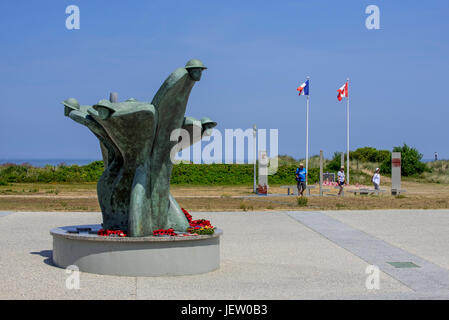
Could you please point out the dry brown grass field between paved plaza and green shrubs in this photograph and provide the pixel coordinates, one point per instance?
(82, 197)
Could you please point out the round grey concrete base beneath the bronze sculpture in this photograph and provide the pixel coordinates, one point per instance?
(143, 256)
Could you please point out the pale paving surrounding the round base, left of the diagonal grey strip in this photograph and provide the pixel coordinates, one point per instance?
(264, 256)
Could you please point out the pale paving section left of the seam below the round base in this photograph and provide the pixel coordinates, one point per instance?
(26, 270)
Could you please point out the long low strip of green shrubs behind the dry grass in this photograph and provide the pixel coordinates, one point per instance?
(207, 174)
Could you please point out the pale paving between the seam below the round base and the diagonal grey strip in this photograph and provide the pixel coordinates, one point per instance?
(269, 256)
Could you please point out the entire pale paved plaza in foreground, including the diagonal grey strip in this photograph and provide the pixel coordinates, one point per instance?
(265, 255)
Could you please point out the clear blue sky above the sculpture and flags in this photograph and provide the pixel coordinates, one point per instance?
(257, 52)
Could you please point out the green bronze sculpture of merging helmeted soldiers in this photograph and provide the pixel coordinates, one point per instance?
(134, 190)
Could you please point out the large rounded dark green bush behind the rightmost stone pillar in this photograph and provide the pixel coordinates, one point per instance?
(410, 162)
